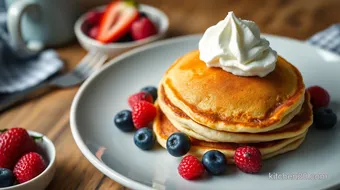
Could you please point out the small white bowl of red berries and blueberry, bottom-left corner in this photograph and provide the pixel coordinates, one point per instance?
(27, 160)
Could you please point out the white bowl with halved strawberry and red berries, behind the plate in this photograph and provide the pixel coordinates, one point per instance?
(120, 26)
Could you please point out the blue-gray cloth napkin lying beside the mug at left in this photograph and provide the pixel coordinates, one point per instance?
(18, 73)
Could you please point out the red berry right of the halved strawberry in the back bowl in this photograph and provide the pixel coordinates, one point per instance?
(143, 28)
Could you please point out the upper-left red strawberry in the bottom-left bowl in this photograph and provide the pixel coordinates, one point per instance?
(13, 144)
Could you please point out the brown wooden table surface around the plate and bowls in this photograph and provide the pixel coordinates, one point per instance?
(50, 114)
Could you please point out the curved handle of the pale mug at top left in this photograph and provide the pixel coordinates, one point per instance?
(14, 18)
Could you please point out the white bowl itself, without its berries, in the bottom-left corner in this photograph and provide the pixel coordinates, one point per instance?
(41, 181)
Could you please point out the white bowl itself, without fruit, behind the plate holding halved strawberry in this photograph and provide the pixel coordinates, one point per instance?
(112, 49)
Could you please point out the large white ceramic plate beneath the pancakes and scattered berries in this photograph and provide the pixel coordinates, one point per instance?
(114, 153)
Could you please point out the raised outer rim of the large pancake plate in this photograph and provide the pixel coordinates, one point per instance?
(106, 170)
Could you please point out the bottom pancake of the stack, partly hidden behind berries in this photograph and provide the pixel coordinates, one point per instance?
(163, 128)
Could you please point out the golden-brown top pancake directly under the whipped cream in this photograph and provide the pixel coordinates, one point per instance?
(223, 101)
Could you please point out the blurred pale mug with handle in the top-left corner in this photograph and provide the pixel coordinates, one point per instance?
(35, 24)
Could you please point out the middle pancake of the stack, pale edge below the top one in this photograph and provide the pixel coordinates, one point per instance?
(297, 126)
